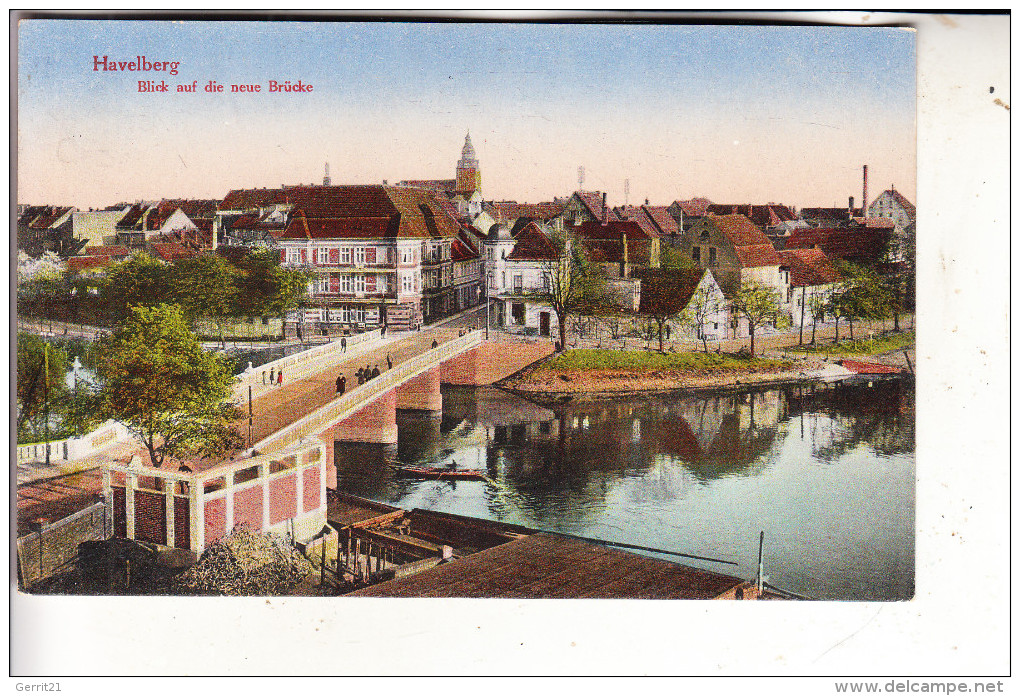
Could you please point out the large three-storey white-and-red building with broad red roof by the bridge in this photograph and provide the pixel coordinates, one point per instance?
(382, 256)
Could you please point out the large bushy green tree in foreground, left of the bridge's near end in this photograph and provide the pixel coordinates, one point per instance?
(168, 391)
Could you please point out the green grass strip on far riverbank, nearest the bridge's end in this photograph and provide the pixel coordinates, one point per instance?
(649, 362)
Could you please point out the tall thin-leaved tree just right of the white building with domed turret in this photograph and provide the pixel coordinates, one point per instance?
(575, 283)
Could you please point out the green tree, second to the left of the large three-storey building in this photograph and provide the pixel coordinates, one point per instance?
(206, 286)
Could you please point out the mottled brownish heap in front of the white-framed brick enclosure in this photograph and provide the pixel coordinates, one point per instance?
(245, 564)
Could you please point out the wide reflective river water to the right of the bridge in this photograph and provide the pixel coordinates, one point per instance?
(827, 473)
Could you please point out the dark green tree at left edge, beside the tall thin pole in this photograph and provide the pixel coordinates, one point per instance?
(41, 384)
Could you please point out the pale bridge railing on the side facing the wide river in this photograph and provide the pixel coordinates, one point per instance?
(347, 406)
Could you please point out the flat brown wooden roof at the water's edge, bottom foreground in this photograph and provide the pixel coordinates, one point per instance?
(544, 566)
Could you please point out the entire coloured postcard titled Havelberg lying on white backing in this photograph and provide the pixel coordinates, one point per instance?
(335, 309)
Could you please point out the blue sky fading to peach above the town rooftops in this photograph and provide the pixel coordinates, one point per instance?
(735, 114)
